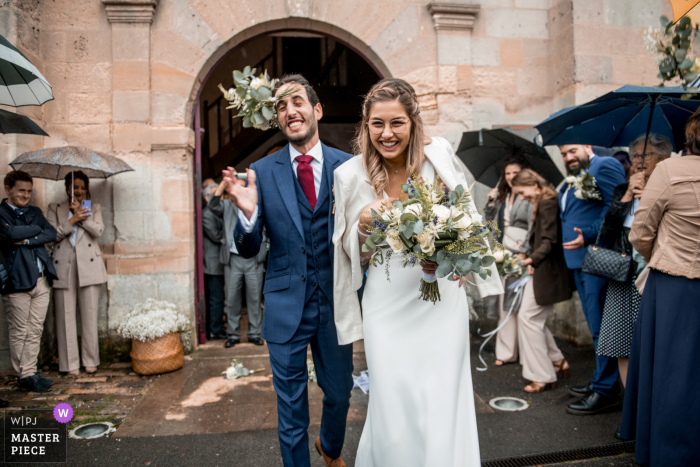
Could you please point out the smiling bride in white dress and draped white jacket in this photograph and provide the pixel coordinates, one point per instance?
(421, 406)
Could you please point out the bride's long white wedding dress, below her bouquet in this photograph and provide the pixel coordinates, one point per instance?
(421, 403)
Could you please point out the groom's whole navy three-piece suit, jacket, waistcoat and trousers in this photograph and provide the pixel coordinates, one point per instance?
(299, 301)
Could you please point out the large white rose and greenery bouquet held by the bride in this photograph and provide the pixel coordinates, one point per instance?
(433, 224)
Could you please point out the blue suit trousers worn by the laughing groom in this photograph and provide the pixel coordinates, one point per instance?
(333, 364)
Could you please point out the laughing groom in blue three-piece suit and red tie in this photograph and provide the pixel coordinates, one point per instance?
(290, 194)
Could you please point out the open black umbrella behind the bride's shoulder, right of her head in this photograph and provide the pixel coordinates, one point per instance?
(484, 151)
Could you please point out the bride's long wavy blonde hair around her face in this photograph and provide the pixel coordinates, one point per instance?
(386, 90)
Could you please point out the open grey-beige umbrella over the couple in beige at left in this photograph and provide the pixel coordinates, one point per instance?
(56, 163)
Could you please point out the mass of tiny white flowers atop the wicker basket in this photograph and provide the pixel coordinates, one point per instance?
(152, 319)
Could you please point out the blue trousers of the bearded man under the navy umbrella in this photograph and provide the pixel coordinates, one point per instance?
(591, 290)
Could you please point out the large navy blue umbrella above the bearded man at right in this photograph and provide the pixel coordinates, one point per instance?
(619, 117)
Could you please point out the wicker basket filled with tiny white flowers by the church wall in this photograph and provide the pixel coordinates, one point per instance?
(153, 327)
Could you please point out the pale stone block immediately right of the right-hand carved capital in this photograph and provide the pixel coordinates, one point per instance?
(511, 24)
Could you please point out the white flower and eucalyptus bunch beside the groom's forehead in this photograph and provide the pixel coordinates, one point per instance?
(253, 97)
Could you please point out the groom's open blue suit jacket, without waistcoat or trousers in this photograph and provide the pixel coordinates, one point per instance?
(278, 212)
